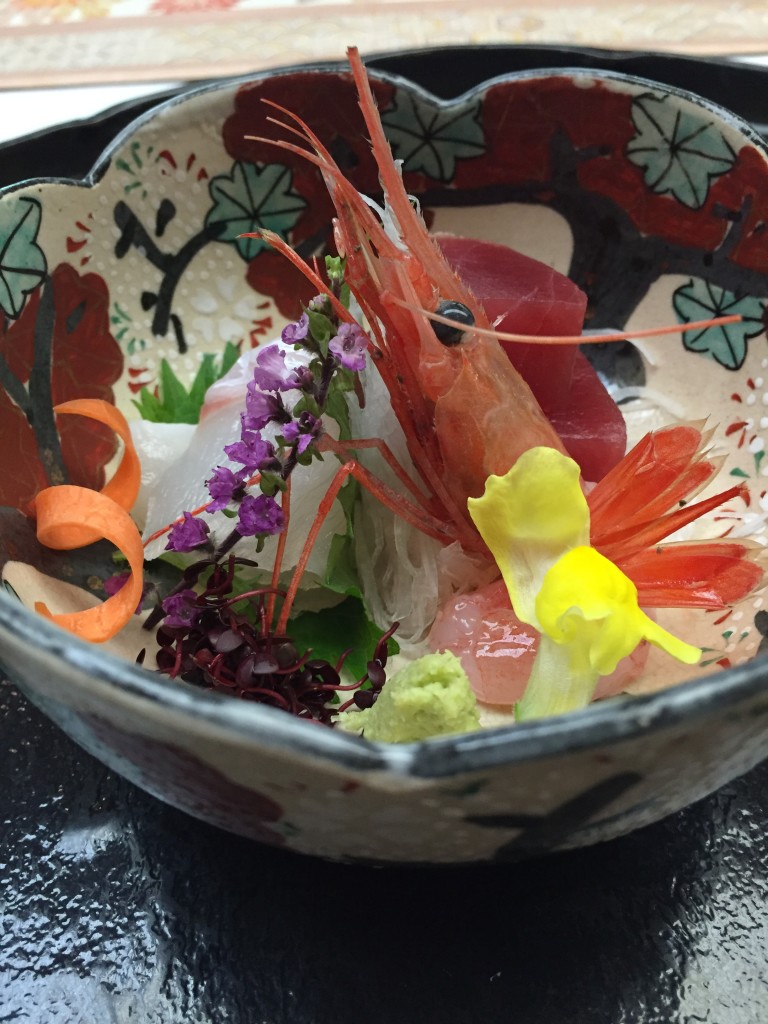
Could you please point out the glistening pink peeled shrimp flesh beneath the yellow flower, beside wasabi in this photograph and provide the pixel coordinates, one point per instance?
(498, 651)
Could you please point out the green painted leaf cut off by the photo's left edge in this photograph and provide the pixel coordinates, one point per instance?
(22, 260)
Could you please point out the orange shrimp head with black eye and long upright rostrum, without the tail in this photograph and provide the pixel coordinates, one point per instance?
(465, 411)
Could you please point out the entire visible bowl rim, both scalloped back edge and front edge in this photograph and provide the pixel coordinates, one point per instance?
(604, 723)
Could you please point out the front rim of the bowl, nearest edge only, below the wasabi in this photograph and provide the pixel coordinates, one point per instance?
(602, 724)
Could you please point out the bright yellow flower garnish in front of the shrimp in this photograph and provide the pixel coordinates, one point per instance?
(536, 522)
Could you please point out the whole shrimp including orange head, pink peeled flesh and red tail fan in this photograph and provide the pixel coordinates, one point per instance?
(467, 414)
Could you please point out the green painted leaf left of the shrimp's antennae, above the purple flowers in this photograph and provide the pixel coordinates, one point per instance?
(250, 198)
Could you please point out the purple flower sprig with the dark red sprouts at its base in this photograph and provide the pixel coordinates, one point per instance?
(201, 637)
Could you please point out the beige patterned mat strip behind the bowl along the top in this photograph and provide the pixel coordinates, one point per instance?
(59, 42)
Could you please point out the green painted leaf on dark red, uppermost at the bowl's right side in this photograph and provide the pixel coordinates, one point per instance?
(679, 152)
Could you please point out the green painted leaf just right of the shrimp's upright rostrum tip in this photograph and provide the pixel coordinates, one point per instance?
(431, 139)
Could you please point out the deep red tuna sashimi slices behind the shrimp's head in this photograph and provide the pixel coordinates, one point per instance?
(524, 296)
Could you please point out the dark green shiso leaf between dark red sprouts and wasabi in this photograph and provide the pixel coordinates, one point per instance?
(331, 632)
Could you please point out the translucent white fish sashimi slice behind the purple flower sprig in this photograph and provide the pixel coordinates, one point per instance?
(182, 486)
